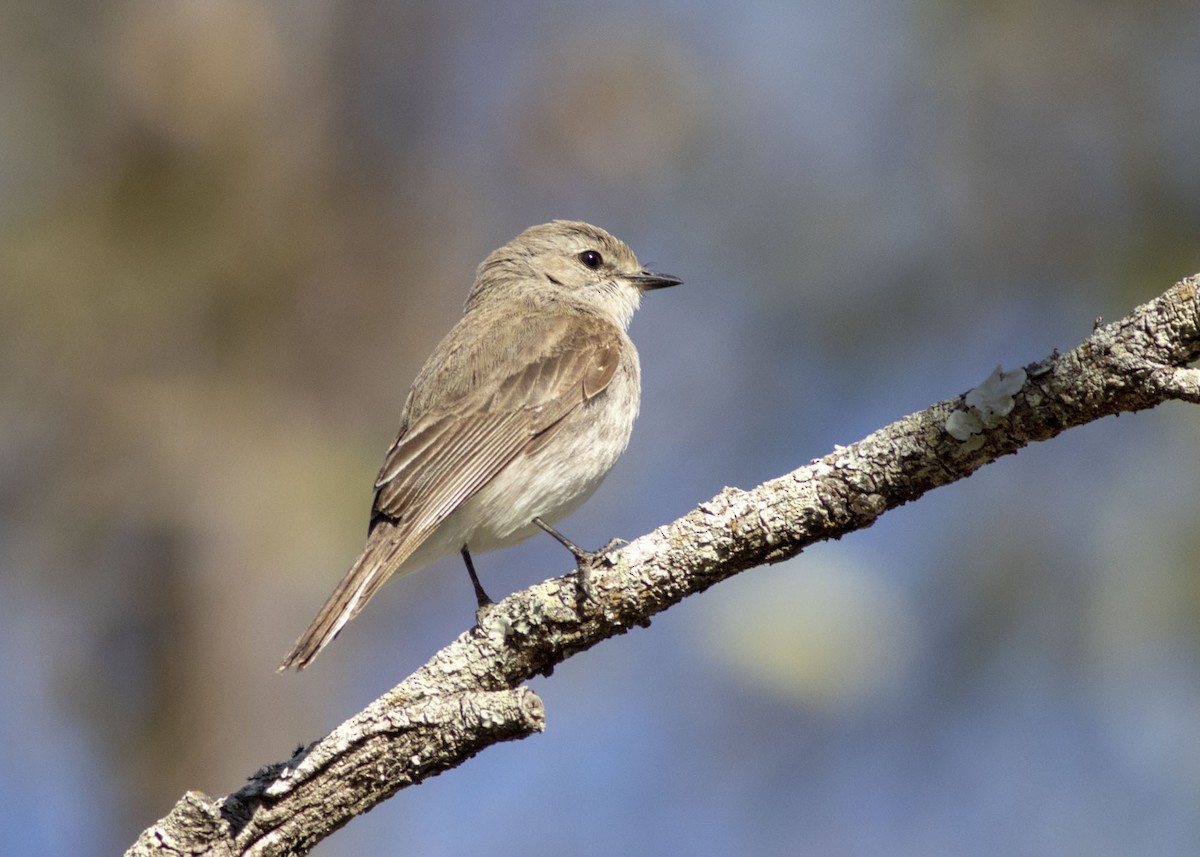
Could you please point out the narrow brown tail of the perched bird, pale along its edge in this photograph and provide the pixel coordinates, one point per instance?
(382, 556)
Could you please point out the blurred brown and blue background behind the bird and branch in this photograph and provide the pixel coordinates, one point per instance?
(231, 233)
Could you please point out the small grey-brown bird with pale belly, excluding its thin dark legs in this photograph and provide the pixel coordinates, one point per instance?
(519, 413)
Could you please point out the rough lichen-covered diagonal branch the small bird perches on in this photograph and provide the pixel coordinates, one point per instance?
(469, 697)
